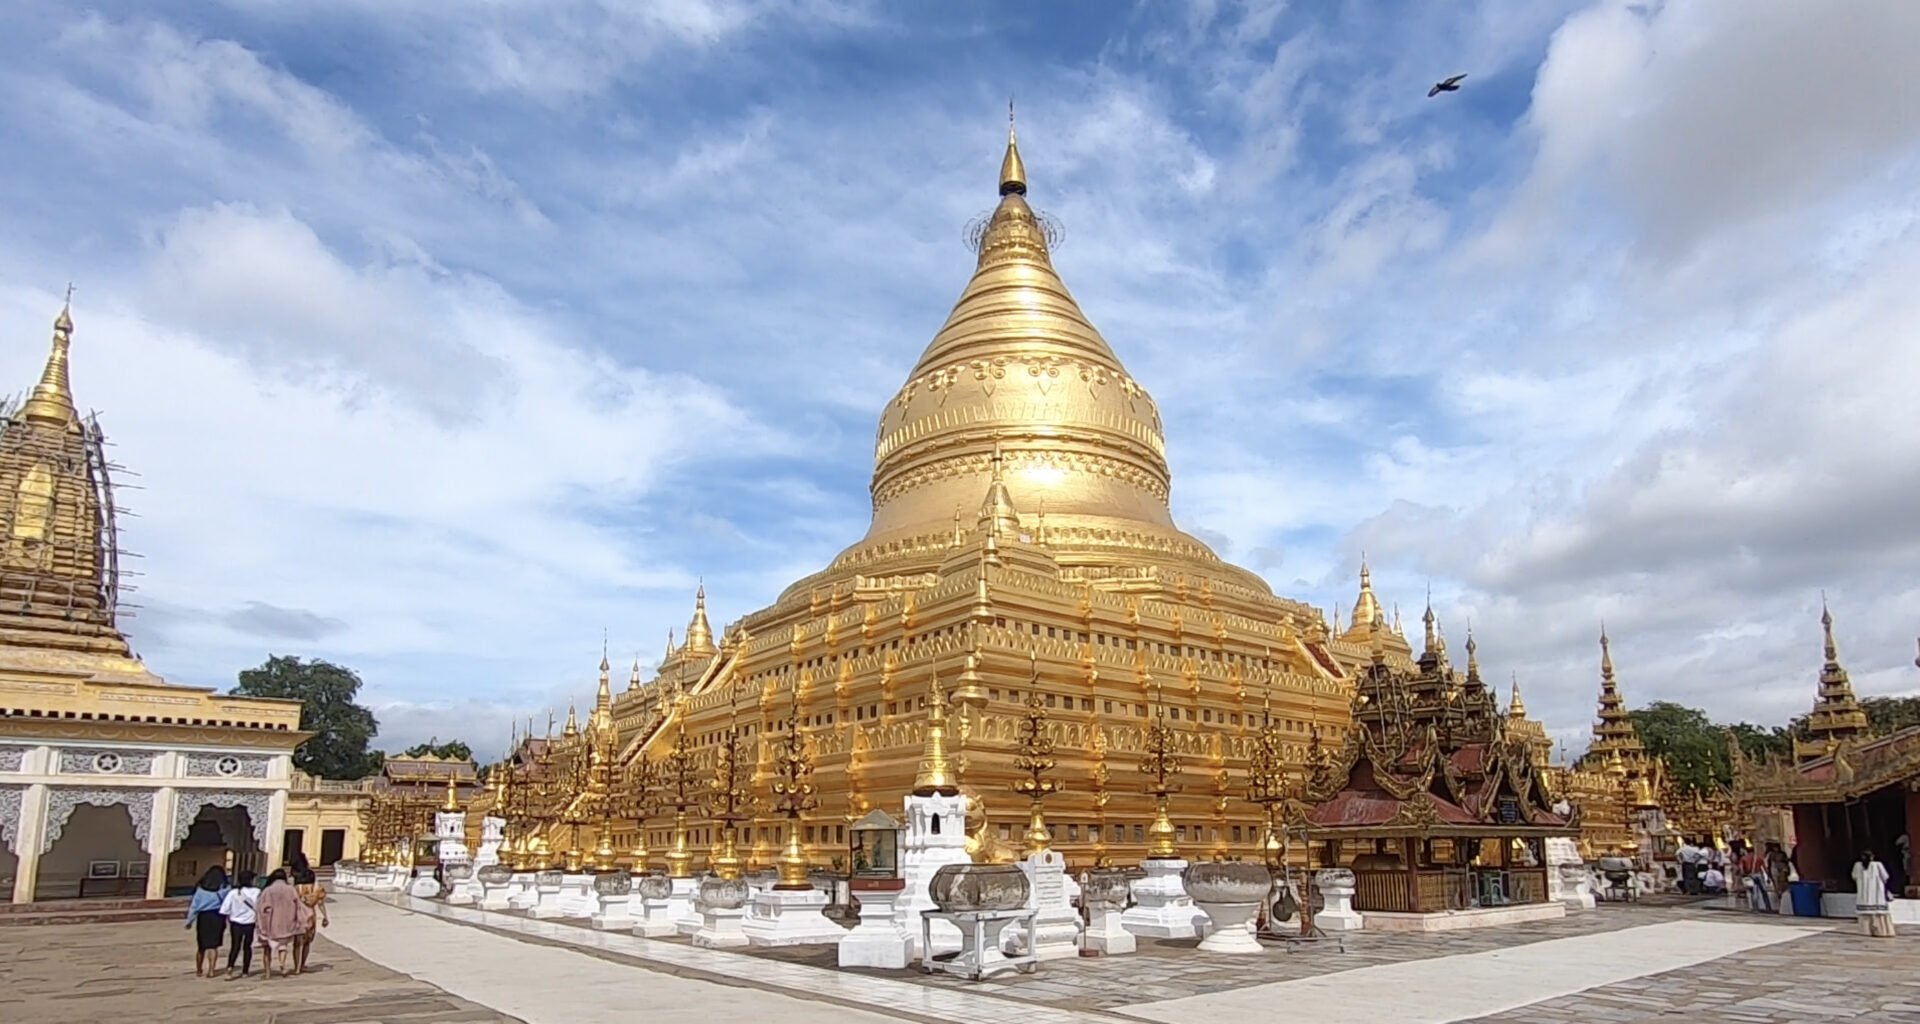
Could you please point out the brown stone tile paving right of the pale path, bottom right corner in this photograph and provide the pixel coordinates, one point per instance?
(1836, 975)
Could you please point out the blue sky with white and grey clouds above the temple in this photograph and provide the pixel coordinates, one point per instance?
(446, 337)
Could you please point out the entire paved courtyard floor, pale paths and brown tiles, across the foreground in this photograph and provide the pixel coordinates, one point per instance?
(425, 963)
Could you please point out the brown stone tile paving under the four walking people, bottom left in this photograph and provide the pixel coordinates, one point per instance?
(145, 971)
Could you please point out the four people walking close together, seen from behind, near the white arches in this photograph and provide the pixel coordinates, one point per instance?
(283, 914)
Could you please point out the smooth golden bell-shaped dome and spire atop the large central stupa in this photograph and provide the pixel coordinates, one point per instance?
(1020, 378)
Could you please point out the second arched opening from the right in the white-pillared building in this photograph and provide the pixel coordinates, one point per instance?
(95, 844)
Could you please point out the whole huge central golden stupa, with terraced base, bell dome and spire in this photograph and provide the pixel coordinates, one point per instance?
(1020, 543)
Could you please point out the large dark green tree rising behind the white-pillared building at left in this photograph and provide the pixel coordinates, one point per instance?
(325, 693)
